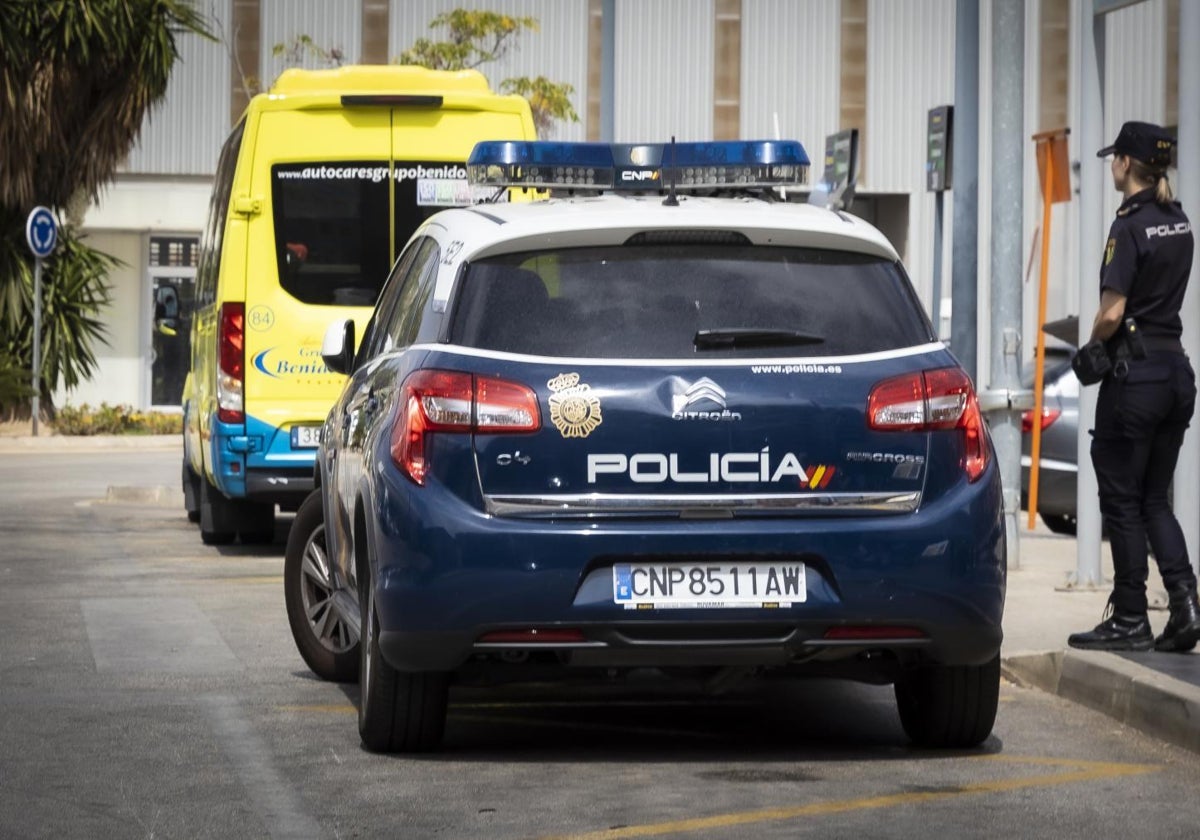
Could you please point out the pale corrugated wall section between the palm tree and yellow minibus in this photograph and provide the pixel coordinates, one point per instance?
(184, 133)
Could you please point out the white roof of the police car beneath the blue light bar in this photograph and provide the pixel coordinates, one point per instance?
(489, 230)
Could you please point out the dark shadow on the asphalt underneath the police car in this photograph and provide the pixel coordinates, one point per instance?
(761, 723)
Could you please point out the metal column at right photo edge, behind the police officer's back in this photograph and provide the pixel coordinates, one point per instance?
(1187, 473)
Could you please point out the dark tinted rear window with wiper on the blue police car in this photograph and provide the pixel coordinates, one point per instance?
(668, 302)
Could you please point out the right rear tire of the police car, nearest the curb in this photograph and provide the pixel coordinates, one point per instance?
(950, 706)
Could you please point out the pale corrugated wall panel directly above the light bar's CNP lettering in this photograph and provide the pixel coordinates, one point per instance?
(664, 69)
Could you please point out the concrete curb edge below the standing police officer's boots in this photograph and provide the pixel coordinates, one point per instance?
(1142, 698)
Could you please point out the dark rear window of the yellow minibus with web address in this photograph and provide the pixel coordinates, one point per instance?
(335, 238)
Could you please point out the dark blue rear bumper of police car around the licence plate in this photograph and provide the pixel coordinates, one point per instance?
(447, 575)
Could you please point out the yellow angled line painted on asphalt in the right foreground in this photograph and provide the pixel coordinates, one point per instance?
(1085, 771)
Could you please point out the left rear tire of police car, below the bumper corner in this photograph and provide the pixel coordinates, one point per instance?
(399, 711)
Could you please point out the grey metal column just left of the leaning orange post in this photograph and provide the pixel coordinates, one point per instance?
(1004, 397)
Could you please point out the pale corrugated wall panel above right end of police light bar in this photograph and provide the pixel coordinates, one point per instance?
(791, 68)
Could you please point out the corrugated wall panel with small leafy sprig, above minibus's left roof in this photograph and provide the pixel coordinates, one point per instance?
(331, 26)
